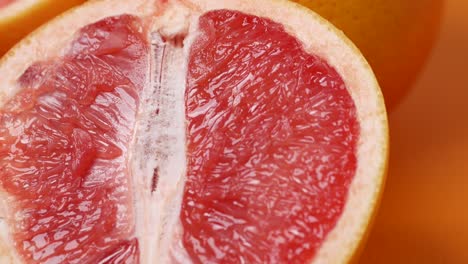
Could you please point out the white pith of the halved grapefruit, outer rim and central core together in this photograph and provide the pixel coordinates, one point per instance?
(166, 143)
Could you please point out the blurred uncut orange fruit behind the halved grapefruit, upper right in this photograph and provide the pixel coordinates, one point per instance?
(394, 36)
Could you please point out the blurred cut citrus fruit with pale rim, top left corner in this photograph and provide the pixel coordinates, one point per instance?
(19, 17)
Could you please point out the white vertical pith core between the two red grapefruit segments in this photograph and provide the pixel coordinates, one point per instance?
(158, 158)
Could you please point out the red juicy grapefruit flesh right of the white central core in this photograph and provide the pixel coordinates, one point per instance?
(272, 138)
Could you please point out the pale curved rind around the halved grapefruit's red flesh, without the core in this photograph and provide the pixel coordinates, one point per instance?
(331, 45)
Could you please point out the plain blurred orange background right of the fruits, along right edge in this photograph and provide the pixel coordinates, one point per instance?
(424, 212)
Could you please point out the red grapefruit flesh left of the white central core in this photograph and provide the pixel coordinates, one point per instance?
(63, 146)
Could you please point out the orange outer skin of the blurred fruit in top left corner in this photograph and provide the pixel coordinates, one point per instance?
(14, 28)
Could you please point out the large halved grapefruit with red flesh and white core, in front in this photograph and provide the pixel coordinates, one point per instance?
(188, 132)
